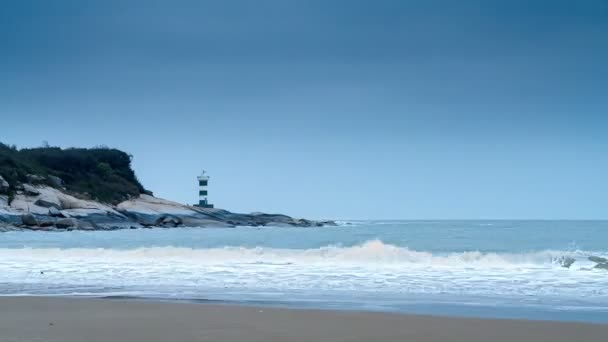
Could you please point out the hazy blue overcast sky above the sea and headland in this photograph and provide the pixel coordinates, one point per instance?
(326, 109)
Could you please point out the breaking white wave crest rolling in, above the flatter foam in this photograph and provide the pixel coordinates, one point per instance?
(371, 253)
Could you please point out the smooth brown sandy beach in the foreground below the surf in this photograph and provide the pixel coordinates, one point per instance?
(77, 320)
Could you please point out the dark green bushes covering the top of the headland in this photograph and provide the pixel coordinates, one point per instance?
(99, 173)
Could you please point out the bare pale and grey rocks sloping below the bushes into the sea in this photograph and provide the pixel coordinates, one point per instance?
(45, 207)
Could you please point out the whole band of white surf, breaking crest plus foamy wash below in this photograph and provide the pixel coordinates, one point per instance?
(372, 267)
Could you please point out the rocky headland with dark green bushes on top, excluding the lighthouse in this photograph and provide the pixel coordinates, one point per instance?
(96, 189)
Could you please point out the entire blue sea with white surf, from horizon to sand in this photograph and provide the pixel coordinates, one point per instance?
(511, 269)
